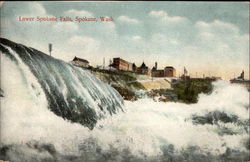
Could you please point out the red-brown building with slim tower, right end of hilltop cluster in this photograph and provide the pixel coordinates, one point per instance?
(168, 71)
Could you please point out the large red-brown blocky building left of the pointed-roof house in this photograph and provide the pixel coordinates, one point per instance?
(121, 64)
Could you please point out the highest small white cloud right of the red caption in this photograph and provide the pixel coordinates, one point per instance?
(164, 17)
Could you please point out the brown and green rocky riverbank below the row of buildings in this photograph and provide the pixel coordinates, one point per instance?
(133, 86)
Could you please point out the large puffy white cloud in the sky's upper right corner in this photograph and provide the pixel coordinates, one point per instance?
(219, 35)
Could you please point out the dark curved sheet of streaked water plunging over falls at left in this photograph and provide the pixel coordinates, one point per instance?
(71, 92)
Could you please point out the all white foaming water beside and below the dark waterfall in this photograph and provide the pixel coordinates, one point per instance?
(145, 131)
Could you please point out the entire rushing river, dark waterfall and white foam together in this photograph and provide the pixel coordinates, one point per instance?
(48, 106)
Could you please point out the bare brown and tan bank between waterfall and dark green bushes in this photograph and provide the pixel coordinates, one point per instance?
(129, 83)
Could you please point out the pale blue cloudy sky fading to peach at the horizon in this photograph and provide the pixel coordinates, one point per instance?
(210, 38)
